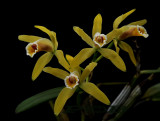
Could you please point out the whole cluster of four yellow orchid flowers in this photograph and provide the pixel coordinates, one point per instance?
(75, 76)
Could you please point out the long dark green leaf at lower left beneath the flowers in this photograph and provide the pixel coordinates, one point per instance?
(38, 99)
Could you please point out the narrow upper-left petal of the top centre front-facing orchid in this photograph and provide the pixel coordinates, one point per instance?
(84, 36)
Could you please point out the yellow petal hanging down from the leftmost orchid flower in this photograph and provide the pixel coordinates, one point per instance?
(40, 64)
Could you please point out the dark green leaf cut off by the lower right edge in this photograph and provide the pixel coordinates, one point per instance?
(153, 93)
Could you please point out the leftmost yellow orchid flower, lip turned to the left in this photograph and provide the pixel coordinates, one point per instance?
(37, 44)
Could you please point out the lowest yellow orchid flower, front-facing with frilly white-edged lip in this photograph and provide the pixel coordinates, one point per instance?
(73, 78)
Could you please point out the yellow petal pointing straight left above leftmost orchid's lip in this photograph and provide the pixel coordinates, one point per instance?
(28, 38)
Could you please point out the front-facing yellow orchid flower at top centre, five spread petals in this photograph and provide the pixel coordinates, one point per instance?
(99, 40)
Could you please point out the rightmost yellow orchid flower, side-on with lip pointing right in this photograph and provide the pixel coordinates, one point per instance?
(130, 30)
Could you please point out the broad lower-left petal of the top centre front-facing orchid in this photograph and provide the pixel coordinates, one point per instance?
(82, 56)
